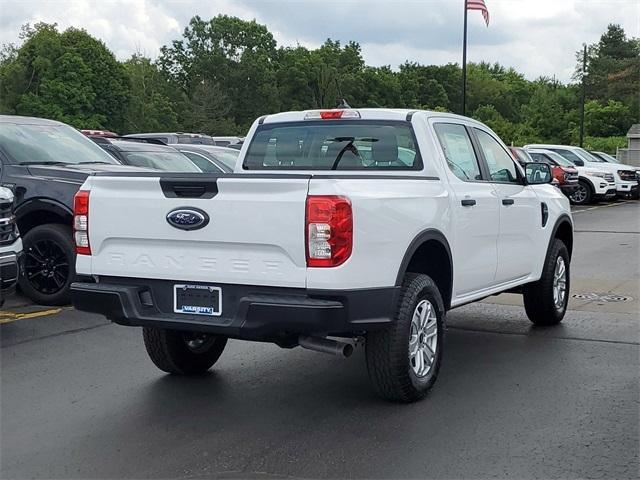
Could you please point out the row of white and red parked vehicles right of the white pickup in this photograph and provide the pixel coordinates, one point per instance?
(583, 176)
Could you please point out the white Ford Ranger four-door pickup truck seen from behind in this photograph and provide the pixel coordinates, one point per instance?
(335, 225)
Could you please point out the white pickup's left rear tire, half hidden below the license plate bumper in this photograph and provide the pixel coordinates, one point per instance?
(170, 352)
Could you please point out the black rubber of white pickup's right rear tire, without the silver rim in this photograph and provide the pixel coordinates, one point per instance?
(390, 368)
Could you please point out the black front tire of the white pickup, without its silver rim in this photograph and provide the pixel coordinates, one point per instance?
(539, 302)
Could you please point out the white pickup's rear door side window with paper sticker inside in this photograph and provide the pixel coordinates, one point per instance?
(458, 150)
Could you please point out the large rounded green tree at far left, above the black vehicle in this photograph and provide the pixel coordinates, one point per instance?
(68, 76)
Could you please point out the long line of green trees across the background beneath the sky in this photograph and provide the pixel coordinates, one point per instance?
(223, 73)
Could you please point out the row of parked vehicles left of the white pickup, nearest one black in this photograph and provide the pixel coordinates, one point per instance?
(42, 165)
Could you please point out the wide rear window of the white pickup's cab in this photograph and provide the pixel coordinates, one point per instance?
(334, 145)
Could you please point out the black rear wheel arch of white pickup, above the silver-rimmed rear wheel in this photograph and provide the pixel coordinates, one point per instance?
(429, 253)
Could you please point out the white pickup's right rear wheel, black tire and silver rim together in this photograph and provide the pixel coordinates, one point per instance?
(403, 360)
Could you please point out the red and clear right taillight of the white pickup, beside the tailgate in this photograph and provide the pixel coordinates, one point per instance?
(329, 230)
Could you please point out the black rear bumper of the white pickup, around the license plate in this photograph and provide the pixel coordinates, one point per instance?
(250, 312)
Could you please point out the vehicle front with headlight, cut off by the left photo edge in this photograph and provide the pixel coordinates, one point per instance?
(10, 245)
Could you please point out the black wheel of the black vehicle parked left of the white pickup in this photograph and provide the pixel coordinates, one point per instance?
(49, 264)
